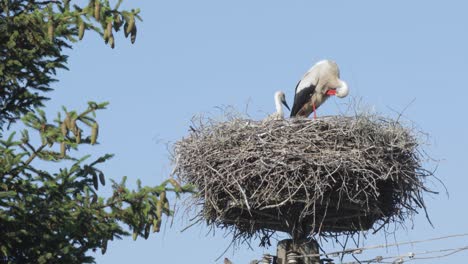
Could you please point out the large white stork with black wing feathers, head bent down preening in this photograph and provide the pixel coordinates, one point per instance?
(319, 83)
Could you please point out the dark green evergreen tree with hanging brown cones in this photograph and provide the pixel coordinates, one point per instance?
(58, 217)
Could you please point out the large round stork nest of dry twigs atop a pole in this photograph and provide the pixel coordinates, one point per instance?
(334, 175)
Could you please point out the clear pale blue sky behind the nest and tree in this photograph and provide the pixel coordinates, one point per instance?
(191, 56)
